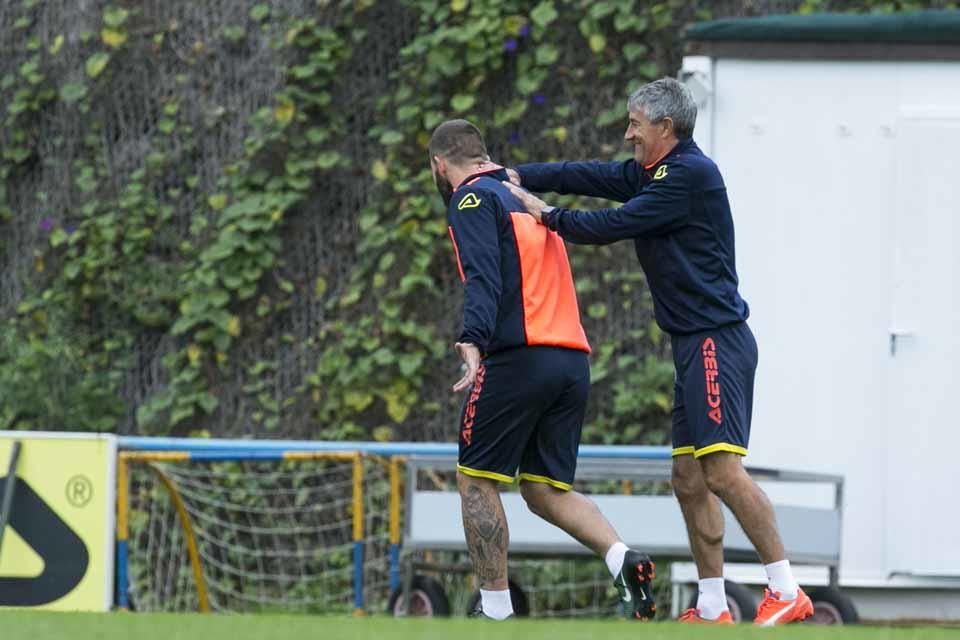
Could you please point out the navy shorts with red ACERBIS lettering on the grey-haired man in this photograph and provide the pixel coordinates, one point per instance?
(713, 396)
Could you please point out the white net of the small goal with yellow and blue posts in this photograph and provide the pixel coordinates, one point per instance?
(256, 535)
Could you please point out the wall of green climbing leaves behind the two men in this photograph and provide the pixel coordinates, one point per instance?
(297, 282)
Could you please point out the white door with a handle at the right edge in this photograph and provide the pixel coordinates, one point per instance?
(923, 436)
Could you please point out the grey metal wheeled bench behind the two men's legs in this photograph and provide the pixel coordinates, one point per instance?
(653, 523)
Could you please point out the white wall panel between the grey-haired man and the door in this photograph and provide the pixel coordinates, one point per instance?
(810, 180)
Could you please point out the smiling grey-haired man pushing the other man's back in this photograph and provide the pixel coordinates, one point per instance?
(676, 211)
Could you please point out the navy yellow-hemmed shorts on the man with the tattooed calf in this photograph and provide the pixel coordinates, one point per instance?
(525, 411)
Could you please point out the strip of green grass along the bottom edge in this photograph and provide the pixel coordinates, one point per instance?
(15, 625)
